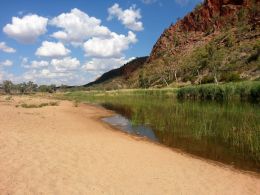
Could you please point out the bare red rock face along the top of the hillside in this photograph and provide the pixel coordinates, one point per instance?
(206, 18)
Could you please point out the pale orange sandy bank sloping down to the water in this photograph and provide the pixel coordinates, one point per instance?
(66, 150)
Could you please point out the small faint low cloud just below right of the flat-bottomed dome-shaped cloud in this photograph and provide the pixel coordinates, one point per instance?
(65, 64)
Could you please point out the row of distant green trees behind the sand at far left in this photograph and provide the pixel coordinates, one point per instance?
(9, 87)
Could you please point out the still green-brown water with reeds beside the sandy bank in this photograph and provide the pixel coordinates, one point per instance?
(229, 133)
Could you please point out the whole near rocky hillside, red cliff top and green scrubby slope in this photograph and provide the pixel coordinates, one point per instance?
(219, 41)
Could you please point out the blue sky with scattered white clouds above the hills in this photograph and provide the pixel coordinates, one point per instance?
(73, 42)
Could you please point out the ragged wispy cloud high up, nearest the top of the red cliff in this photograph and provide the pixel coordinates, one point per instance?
(129, 17)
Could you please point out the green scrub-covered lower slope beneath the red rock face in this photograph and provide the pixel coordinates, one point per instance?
(223, 59)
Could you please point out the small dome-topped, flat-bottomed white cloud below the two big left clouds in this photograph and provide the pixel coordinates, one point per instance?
(51, 49)
